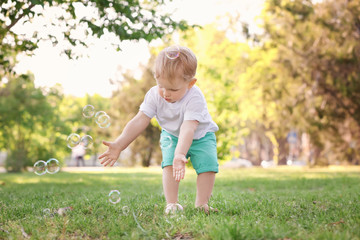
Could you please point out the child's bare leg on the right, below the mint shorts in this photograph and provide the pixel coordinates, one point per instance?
(205, 183)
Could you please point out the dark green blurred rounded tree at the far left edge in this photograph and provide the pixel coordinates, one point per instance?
(29, 121)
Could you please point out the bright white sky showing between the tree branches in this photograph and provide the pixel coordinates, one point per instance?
(101, 62)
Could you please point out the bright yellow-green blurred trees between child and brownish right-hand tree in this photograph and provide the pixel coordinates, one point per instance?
(233, 75)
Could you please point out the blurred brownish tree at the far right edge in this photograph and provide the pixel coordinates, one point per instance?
(318, 52)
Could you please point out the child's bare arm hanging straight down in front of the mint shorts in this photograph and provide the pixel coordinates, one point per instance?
(187, 131)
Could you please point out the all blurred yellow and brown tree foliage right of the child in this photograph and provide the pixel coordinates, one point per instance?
(301, 73)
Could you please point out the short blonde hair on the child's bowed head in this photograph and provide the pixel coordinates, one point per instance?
(183, 64)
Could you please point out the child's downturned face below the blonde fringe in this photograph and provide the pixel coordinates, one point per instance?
(175, 90)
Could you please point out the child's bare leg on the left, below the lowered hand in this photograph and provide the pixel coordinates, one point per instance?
(170, 186)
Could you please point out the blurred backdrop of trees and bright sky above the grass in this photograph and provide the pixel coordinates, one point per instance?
(281, 77)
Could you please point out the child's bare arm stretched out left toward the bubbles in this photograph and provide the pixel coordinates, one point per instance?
(132, 129)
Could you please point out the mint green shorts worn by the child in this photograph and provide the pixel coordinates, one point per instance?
(202, 152)
